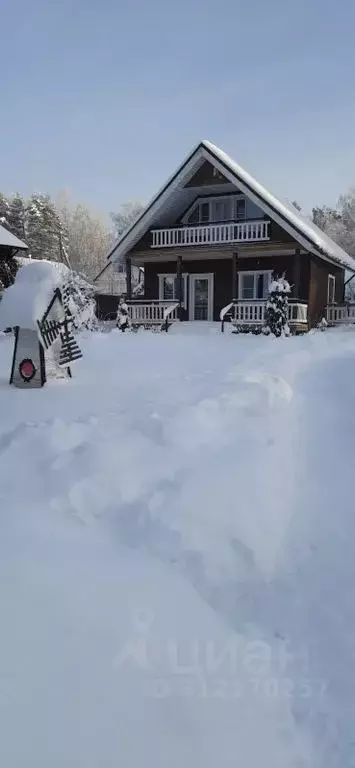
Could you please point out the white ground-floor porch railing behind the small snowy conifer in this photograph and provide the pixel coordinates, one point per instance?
(252, 313)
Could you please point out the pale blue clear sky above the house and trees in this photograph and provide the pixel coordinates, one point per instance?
(104, 98)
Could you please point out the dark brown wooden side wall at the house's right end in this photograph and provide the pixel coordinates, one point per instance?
(318, 287)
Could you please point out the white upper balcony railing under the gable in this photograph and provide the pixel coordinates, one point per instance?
(211, 234)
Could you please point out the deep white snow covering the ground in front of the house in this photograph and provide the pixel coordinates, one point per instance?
(176, 554)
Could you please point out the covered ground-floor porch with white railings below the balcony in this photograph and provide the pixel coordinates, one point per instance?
(199, 288)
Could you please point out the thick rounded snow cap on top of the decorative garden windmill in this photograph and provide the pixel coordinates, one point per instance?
(24, 302)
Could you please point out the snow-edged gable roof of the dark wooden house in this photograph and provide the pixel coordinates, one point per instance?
(292, 221)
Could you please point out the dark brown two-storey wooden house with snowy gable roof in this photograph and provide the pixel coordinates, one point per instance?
(214, 237)
